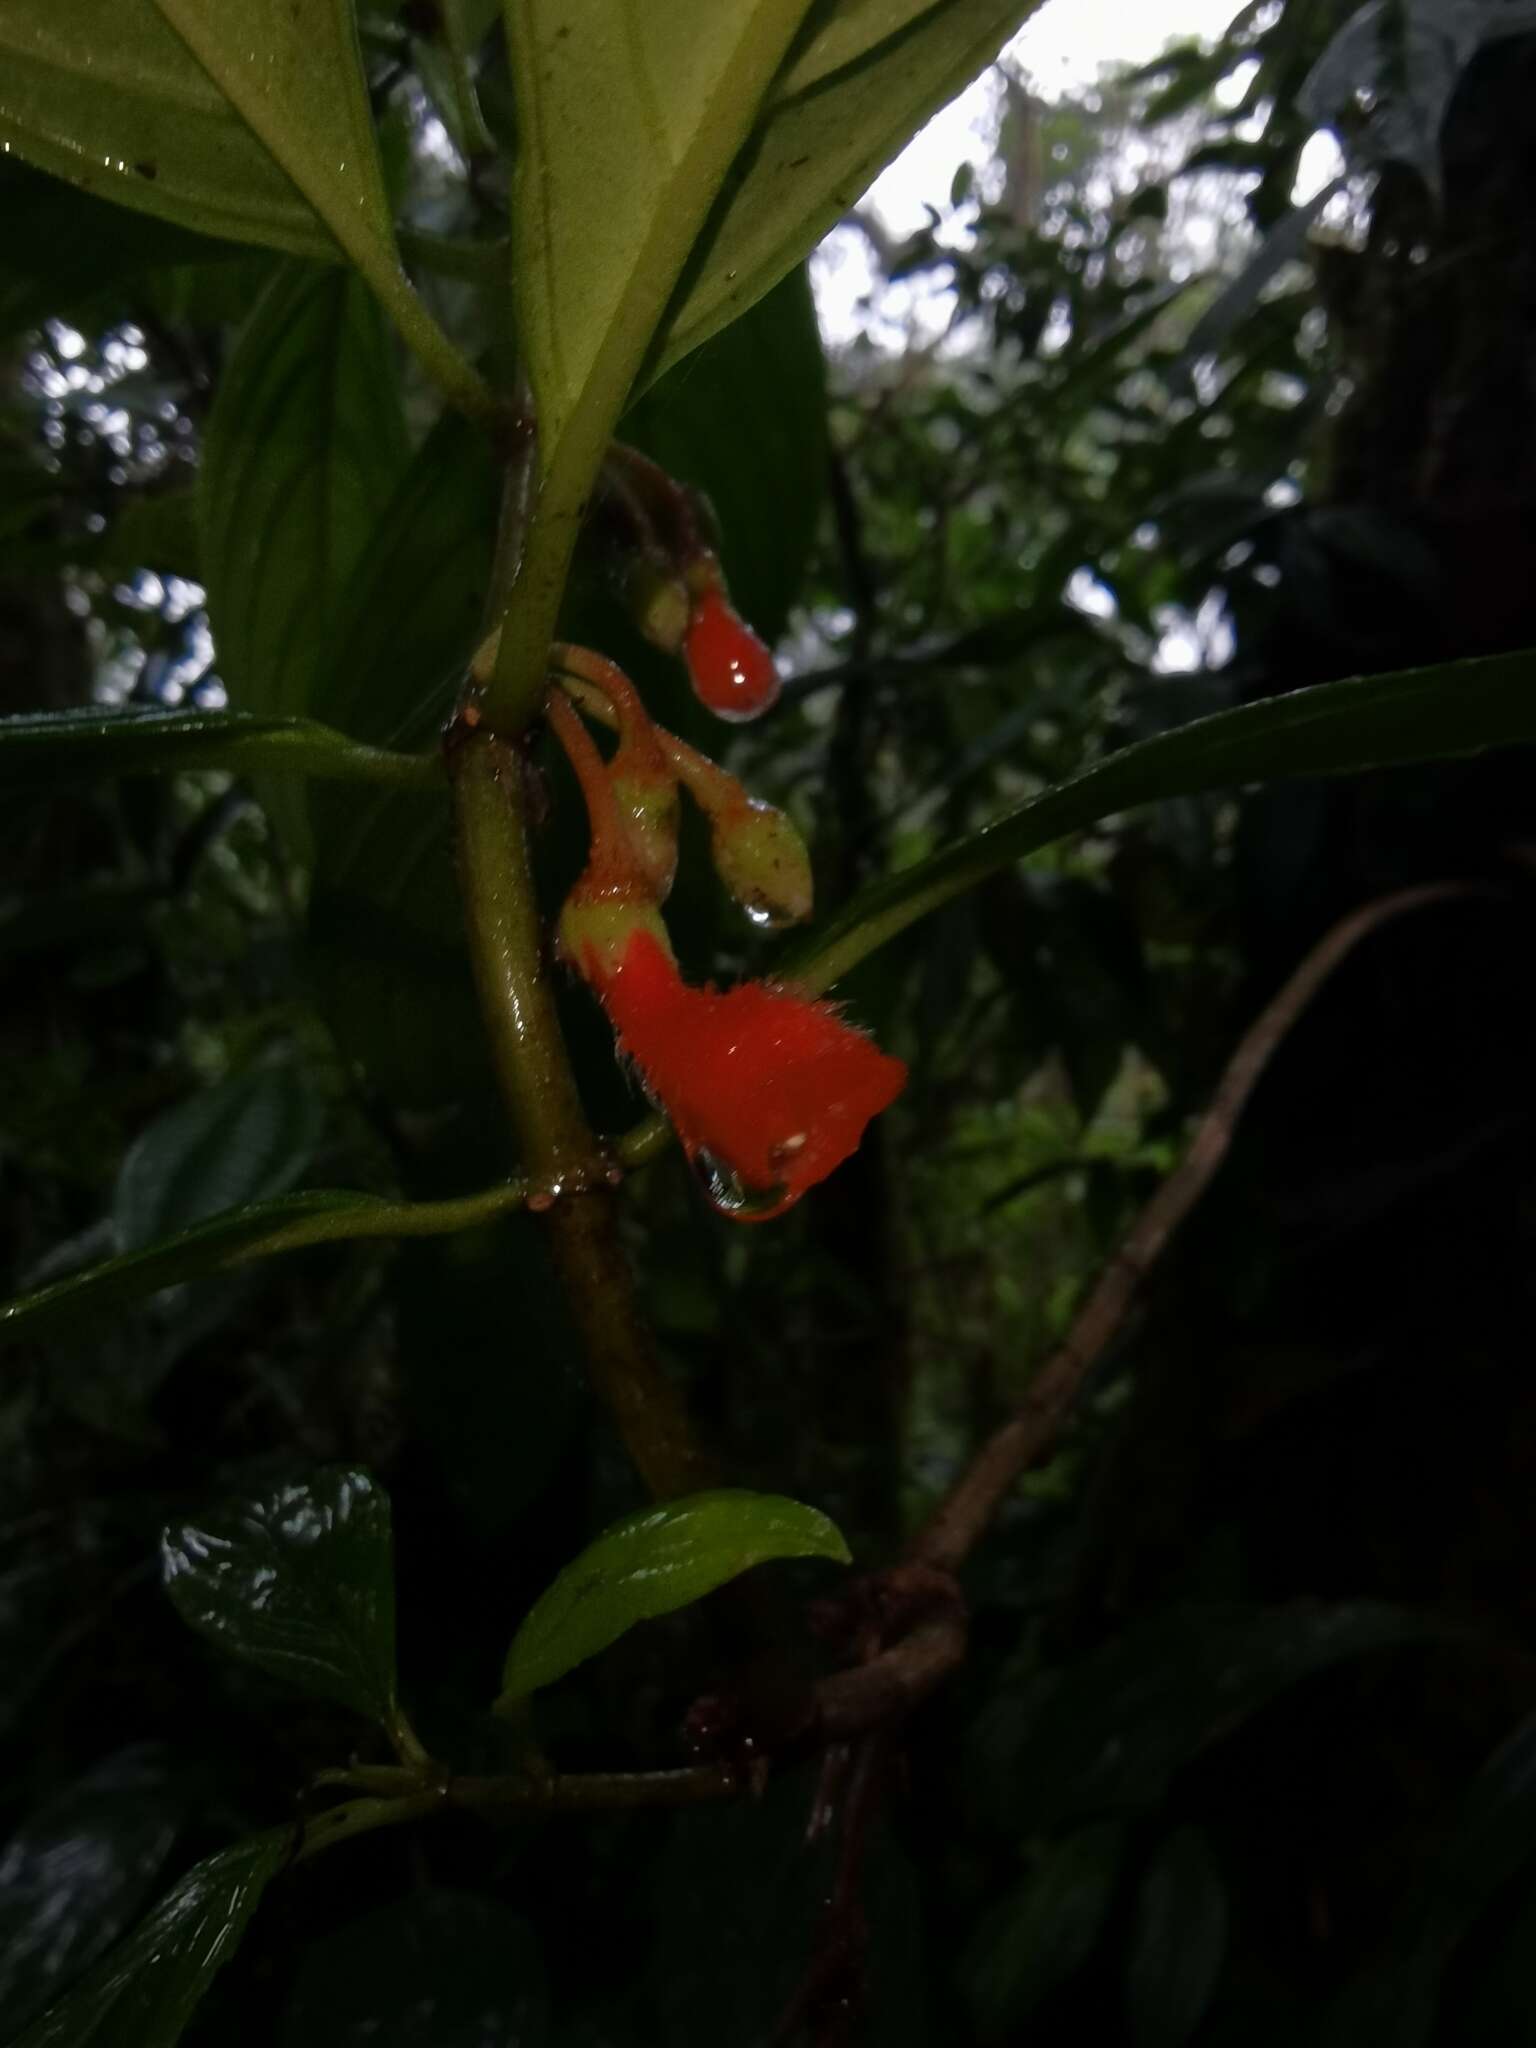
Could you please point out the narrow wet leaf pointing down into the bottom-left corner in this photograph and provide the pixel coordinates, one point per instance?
(146, 1992)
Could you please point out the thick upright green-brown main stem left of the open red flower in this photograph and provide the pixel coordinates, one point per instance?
(566, 1168)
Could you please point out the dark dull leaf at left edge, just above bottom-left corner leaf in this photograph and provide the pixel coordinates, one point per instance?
(77, 1873)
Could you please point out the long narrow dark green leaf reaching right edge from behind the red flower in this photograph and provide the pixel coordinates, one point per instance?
(1338, 728)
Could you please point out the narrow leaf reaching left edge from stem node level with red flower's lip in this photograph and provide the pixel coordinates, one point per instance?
(263, 1230)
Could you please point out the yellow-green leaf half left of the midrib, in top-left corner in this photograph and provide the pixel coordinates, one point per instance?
(108, 95)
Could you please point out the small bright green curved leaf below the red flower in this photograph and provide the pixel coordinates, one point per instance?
(652, 1564)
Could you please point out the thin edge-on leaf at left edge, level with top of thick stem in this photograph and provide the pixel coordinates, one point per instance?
(48, 749)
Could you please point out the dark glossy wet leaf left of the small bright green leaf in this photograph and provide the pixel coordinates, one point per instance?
(300, 1582)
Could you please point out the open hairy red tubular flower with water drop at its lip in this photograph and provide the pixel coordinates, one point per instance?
(771, 1086)
